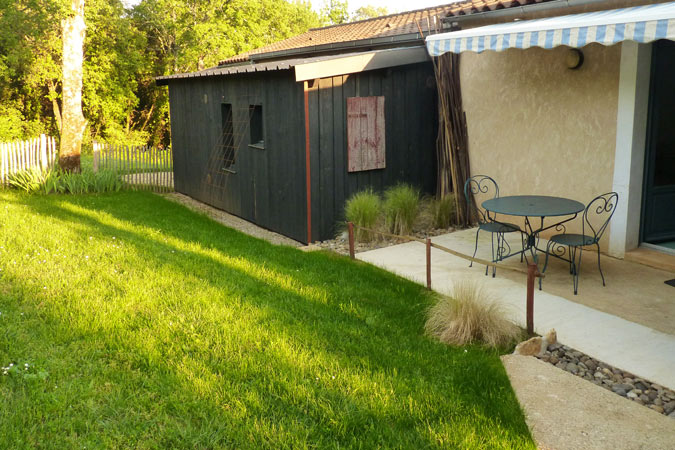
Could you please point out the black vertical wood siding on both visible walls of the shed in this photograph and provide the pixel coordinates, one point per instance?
(269, 186)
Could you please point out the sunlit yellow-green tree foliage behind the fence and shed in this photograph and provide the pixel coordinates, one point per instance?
(125, 48)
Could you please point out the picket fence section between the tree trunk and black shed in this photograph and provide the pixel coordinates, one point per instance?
(144, 168)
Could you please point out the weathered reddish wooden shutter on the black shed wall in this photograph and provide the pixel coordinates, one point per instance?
(365, 133)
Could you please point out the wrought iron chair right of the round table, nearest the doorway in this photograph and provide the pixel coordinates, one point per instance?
(595, 219)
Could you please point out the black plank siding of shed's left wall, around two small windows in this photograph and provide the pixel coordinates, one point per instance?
(268, 187)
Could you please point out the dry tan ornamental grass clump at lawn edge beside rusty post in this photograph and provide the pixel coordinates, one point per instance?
(469, 316)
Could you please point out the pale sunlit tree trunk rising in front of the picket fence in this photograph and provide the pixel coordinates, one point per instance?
(73, 123)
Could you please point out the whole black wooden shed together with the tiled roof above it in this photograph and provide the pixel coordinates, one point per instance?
(283, 135)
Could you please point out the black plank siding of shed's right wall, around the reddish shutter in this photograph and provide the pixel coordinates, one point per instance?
(410, 125)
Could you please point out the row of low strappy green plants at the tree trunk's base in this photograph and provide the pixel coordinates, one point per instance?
(55, 181)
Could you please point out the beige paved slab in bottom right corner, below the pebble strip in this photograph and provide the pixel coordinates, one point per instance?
(566, 412)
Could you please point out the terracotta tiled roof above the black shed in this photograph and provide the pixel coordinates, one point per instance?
(382, 27)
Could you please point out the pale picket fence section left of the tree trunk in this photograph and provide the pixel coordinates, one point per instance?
(38, 153)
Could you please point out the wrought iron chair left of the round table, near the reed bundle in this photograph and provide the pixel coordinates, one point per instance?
(486, 187)
